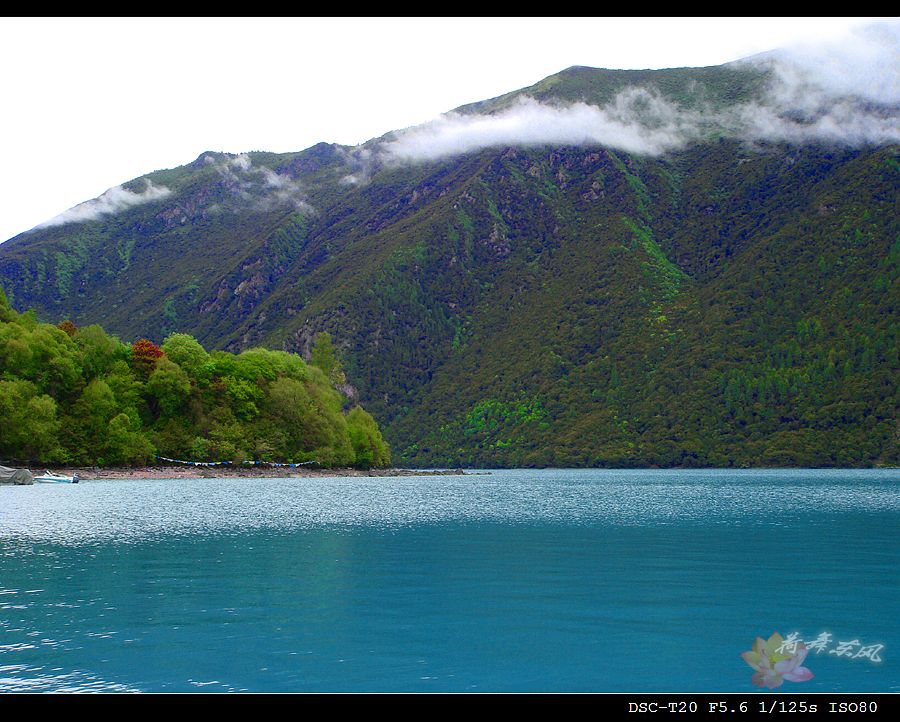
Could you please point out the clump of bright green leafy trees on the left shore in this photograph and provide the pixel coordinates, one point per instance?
(79, 396)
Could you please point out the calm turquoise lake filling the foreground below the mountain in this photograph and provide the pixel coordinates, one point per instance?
(508, 581)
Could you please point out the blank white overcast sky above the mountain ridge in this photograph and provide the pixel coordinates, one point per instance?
(89, 103)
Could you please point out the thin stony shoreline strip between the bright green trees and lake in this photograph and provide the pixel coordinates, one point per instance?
(249, 472)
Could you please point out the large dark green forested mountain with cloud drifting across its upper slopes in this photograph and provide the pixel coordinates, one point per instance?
(695, 266)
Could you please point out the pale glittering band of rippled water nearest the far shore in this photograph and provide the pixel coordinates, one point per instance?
(137, 510)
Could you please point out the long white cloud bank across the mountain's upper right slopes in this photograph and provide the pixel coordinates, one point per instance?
(845, 92)
